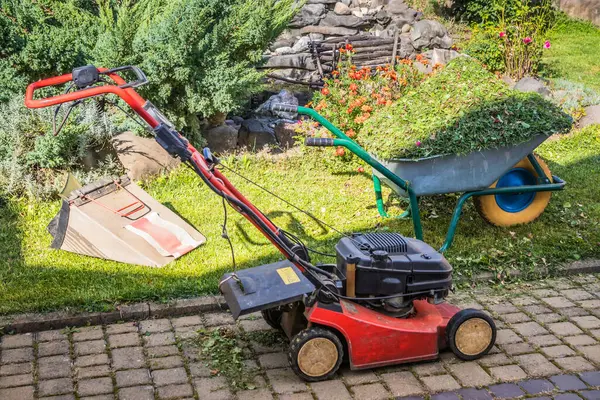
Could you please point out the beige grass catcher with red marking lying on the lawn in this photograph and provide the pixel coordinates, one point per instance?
(115, 219)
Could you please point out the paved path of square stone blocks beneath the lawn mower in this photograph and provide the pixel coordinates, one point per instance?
(548, 346)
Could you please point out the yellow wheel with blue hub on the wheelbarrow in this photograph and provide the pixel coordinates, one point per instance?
(515, 209)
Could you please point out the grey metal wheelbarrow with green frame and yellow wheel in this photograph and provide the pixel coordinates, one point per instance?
(509, 185)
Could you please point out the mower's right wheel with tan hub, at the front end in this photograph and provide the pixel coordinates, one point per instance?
(470, 334)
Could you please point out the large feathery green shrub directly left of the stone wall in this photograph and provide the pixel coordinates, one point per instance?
(198, 54)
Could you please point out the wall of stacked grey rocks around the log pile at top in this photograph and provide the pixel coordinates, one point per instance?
(290, 56)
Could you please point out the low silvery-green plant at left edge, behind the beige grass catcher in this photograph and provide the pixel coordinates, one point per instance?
(33, 161)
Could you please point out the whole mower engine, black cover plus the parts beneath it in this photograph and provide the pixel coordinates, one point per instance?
(390, 271)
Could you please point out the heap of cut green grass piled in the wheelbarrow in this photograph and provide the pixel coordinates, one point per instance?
(461, 109)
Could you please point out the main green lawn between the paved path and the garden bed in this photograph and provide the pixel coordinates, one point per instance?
(36, 278)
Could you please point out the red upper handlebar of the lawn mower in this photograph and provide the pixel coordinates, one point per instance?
(129, 95)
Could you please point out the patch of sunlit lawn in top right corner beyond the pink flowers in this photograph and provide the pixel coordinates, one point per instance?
(574, 53)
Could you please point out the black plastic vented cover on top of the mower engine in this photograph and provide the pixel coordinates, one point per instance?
(389, 264)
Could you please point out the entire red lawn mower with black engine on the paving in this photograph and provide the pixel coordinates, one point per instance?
(381, 303)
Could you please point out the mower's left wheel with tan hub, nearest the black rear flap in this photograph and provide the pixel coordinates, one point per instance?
(315, 354)
